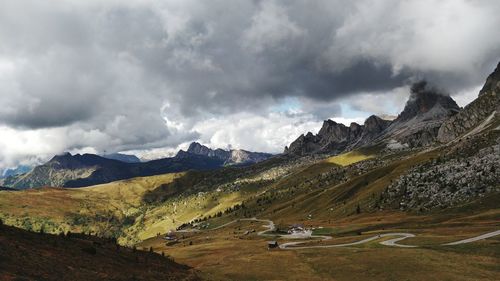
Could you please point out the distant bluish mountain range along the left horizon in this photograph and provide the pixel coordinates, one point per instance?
(68, 170)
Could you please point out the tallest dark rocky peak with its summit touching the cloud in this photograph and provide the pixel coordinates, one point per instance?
(427, 100)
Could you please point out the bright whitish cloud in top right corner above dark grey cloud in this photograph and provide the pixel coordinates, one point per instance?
(428, 35)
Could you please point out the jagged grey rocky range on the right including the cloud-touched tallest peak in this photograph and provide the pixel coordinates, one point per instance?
(417, 125)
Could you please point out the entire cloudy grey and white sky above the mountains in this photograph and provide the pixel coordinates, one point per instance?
(148, 77)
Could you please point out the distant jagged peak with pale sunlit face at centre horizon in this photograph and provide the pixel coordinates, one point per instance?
(228, 157)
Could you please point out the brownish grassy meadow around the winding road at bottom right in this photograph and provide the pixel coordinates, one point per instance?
(228, 254)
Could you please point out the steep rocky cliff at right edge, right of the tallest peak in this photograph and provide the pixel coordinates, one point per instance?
(486, 106)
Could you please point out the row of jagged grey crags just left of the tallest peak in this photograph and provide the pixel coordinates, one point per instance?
(335, 137)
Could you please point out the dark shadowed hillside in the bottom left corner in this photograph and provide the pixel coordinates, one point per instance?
(35, 256)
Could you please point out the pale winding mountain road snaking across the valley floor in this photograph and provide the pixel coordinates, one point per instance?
(270, 226)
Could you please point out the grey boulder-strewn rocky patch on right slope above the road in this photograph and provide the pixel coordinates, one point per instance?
(446, 182)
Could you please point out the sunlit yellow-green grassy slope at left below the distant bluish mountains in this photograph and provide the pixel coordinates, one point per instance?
(117, 209)
